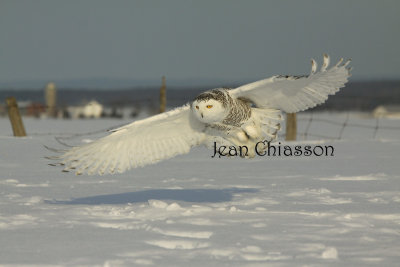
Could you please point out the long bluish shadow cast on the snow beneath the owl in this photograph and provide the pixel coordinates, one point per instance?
(188, 195)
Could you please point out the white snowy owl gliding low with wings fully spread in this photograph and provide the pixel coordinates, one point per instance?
(236, 117)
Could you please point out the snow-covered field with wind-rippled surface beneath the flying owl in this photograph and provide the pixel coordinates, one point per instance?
(194, 210)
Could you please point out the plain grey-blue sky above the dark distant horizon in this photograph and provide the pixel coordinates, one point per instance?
(194, 40)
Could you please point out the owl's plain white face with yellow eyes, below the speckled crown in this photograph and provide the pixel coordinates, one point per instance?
(209, 111)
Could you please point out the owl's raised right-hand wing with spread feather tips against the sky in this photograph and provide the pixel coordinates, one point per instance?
(294, 93)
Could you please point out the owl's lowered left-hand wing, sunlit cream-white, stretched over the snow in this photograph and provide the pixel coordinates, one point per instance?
(137, 144)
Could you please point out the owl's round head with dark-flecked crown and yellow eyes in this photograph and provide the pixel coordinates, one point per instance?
(210, 107)
